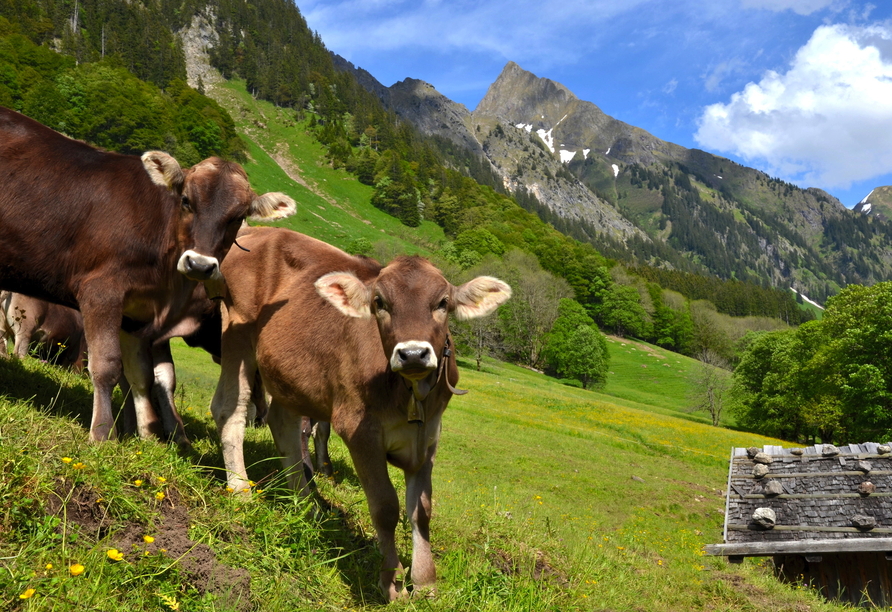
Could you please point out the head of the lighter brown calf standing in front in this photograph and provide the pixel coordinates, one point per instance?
(411, 302)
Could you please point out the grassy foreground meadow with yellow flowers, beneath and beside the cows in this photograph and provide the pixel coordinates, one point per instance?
(546, 498)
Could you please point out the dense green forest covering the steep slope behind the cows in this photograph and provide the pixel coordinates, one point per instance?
(118, 83)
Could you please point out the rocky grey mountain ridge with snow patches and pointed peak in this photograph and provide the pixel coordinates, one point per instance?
(643, 199)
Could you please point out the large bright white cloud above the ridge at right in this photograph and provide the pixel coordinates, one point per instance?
(826, 121)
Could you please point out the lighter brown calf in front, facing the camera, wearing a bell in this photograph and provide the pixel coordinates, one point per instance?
(340, 339)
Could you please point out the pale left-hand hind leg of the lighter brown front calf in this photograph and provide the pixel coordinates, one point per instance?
(230, 410)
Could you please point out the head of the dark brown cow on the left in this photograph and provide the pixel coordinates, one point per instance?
(215, 198)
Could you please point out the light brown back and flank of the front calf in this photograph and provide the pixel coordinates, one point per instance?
(307, 351)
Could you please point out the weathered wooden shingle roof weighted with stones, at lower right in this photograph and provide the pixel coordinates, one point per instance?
(814, 499)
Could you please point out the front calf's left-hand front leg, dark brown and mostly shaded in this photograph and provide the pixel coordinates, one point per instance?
(384, 506)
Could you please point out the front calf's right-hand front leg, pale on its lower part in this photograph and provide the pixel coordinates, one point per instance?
(418, 508)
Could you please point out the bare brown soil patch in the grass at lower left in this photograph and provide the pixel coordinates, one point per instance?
(232, 586)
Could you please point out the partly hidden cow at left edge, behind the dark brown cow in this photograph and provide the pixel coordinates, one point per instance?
(58, 331)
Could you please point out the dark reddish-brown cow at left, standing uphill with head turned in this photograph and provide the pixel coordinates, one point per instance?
(123, 239)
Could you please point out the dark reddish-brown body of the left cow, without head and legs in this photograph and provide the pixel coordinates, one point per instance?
(64, 208)
